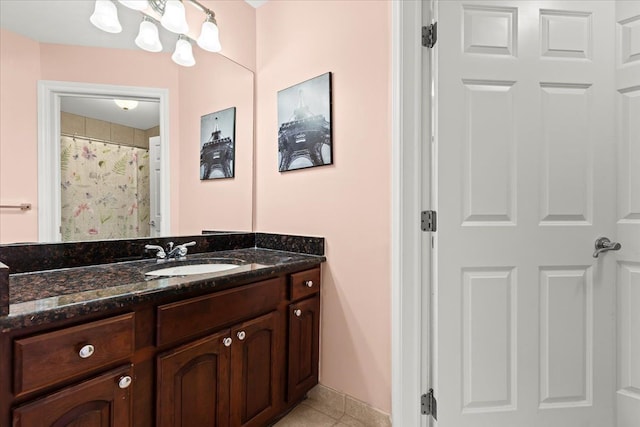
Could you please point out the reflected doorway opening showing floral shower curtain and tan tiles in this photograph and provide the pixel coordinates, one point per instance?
(107, 147)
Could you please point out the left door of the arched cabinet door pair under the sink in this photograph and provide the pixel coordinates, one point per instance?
(193, 384)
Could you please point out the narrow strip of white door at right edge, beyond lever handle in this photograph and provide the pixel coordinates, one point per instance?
(628, 215)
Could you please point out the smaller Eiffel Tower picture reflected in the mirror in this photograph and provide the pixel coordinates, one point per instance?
(217, 144)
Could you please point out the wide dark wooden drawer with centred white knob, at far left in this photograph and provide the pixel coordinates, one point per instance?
(45, 359)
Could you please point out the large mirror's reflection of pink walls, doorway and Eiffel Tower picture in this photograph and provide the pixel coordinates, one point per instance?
(53, 41)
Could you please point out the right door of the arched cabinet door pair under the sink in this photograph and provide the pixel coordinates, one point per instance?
(257, 355)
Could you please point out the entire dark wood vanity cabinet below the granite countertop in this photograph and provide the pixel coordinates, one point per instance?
(234, 358)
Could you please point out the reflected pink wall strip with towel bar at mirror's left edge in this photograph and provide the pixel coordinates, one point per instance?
(19, 70)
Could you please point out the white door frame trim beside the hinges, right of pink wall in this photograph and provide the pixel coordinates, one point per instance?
(410, 183)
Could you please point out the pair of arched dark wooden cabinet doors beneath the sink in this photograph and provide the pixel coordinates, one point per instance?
(228, 378)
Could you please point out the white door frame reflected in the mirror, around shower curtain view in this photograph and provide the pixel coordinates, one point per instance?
(49, 93)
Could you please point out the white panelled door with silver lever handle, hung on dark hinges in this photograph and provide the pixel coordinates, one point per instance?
(525, 316)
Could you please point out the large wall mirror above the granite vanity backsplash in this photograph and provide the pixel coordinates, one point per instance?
(80, 63)
